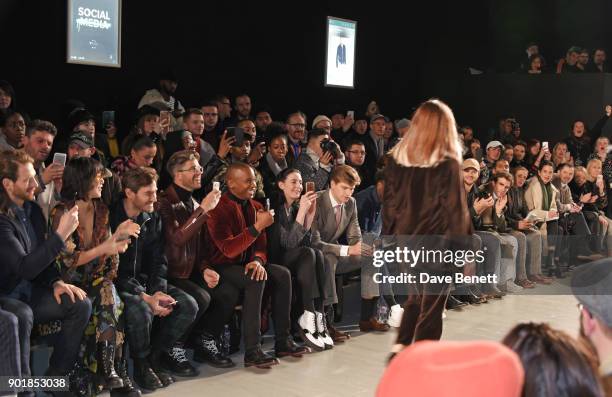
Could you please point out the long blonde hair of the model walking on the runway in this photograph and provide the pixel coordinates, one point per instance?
(431, 138)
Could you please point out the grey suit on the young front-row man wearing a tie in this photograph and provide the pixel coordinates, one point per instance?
(325, 236)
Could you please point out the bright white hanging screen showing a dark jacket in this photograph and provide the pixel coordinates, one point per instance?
(340, 59)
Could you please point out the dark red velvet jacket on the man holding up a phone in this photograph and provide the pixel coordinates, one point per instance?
(230, 237)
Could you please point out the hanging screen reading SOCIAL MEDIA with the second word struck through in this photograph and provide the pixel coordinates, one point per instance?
(94, 32)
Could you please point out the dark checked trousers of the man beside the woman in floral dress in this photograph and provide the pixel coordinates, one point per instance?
(146, 332)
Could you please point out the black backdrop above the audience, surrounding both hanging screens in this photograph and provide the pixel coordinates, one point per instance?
(406, 52)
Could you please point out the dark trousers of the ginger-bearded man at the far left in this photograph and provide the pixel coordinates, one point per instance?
(74, 317)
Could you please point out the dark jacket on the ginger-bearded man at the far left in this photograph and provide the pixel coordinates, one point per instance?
(20, 260)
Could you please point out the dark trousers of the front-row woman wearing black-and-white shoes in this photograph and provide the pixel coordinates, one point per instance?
(308, 267)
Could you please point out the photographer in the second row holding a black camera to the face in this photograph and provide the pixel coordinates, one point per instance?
(316, 162)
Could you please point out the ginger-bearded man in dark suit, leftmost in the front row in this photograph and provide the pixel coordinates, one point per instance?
(30, 284)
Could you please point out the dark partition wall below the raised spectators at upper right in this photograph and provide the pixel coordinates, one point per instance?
(545, 106)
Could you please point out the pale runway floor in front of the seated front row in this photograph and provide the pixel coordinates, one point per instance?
(354, 368)
